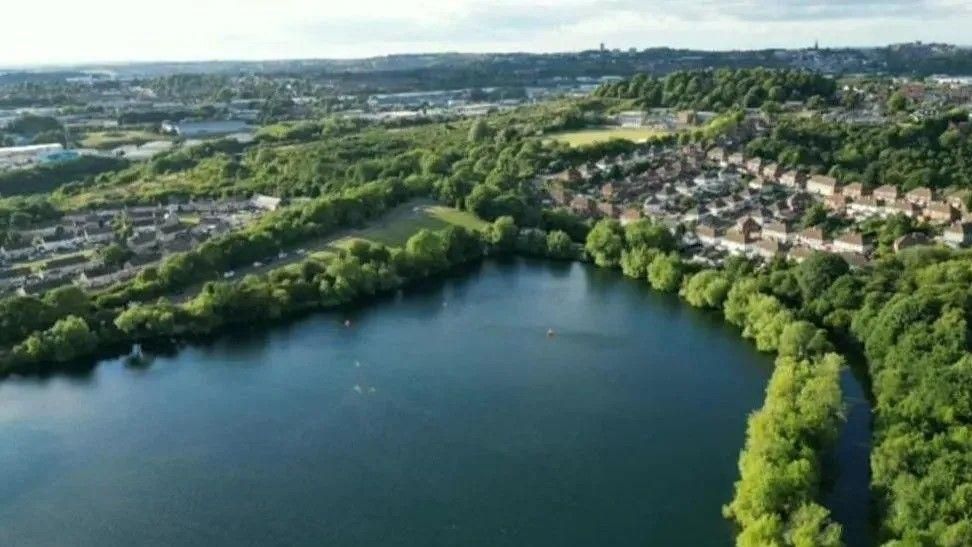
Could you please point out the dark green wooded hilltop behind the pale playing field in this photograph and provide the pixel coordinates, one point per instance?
(722, 88)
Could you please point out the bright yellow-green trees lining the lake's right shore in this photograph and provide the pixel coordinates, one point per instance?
(781, 464)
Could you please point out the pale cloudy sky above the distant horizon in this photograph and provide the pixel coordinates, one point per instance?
(67, 31)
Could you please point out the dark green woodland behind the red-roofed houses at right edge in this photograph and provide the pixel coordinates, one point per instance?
(933, 153)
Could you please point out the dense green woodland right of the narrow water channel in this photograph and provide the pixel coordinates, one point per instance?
(914, 326)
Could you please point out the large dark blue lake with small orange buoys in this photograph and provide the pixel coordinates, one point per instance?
(444, 416)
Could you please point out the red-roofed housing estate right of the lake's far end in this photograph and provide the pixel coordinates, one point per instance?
(721, 203)
